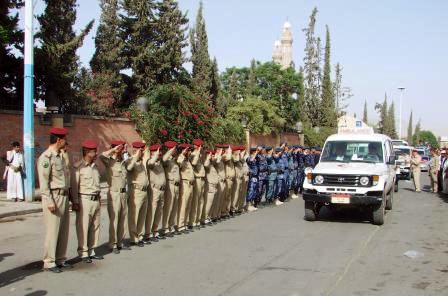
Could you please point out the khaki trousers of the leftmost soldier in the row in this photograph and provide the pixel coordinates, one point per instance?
(56, 230)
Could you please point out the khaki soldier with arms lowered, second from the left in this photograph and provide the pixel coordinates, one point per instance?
(86, 193)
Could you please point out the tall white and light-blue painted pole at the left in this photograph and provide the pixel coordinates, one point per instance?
(28, 102)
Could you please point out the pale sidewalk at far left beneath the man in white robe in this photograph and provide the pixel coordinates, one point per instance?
(9, 208)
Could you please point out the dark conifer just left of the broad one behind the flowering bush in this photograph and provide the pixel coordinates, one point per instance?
(138, 32)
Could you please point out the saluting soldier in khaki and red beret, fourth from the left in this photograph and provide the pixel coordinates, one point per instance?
(138, 194)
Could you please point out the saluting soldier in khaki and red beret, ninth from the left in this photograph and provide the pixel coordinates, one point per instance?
(211, 187)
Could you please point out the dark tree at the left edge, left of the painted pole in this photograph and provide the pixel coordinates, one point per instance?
(11, 70)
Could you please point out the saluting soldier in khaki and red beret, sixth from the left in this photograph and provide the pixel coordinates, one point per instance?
(172, 173)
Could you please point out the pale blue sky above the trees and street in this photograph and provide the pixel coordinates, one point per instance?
(381, 44)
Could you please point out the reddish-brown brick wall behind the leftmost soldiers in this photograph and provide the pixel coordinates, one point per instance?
(82, 127)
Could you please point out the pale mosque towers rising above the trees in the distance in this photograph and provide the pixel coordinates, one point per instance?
(283, 49)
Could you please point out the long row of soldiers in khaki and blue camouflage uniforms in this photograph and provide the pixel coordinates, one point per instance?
(159, 191)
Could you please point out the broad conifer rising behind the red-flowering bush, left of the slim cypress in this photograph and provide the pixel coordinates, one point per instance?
(170, 29)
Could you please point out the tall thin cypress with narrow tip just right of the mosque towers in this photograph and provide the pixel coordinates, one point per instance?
(312, 72)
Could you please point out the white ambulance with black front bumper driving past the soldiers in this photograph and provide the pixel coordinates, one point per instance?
(357, 168)
